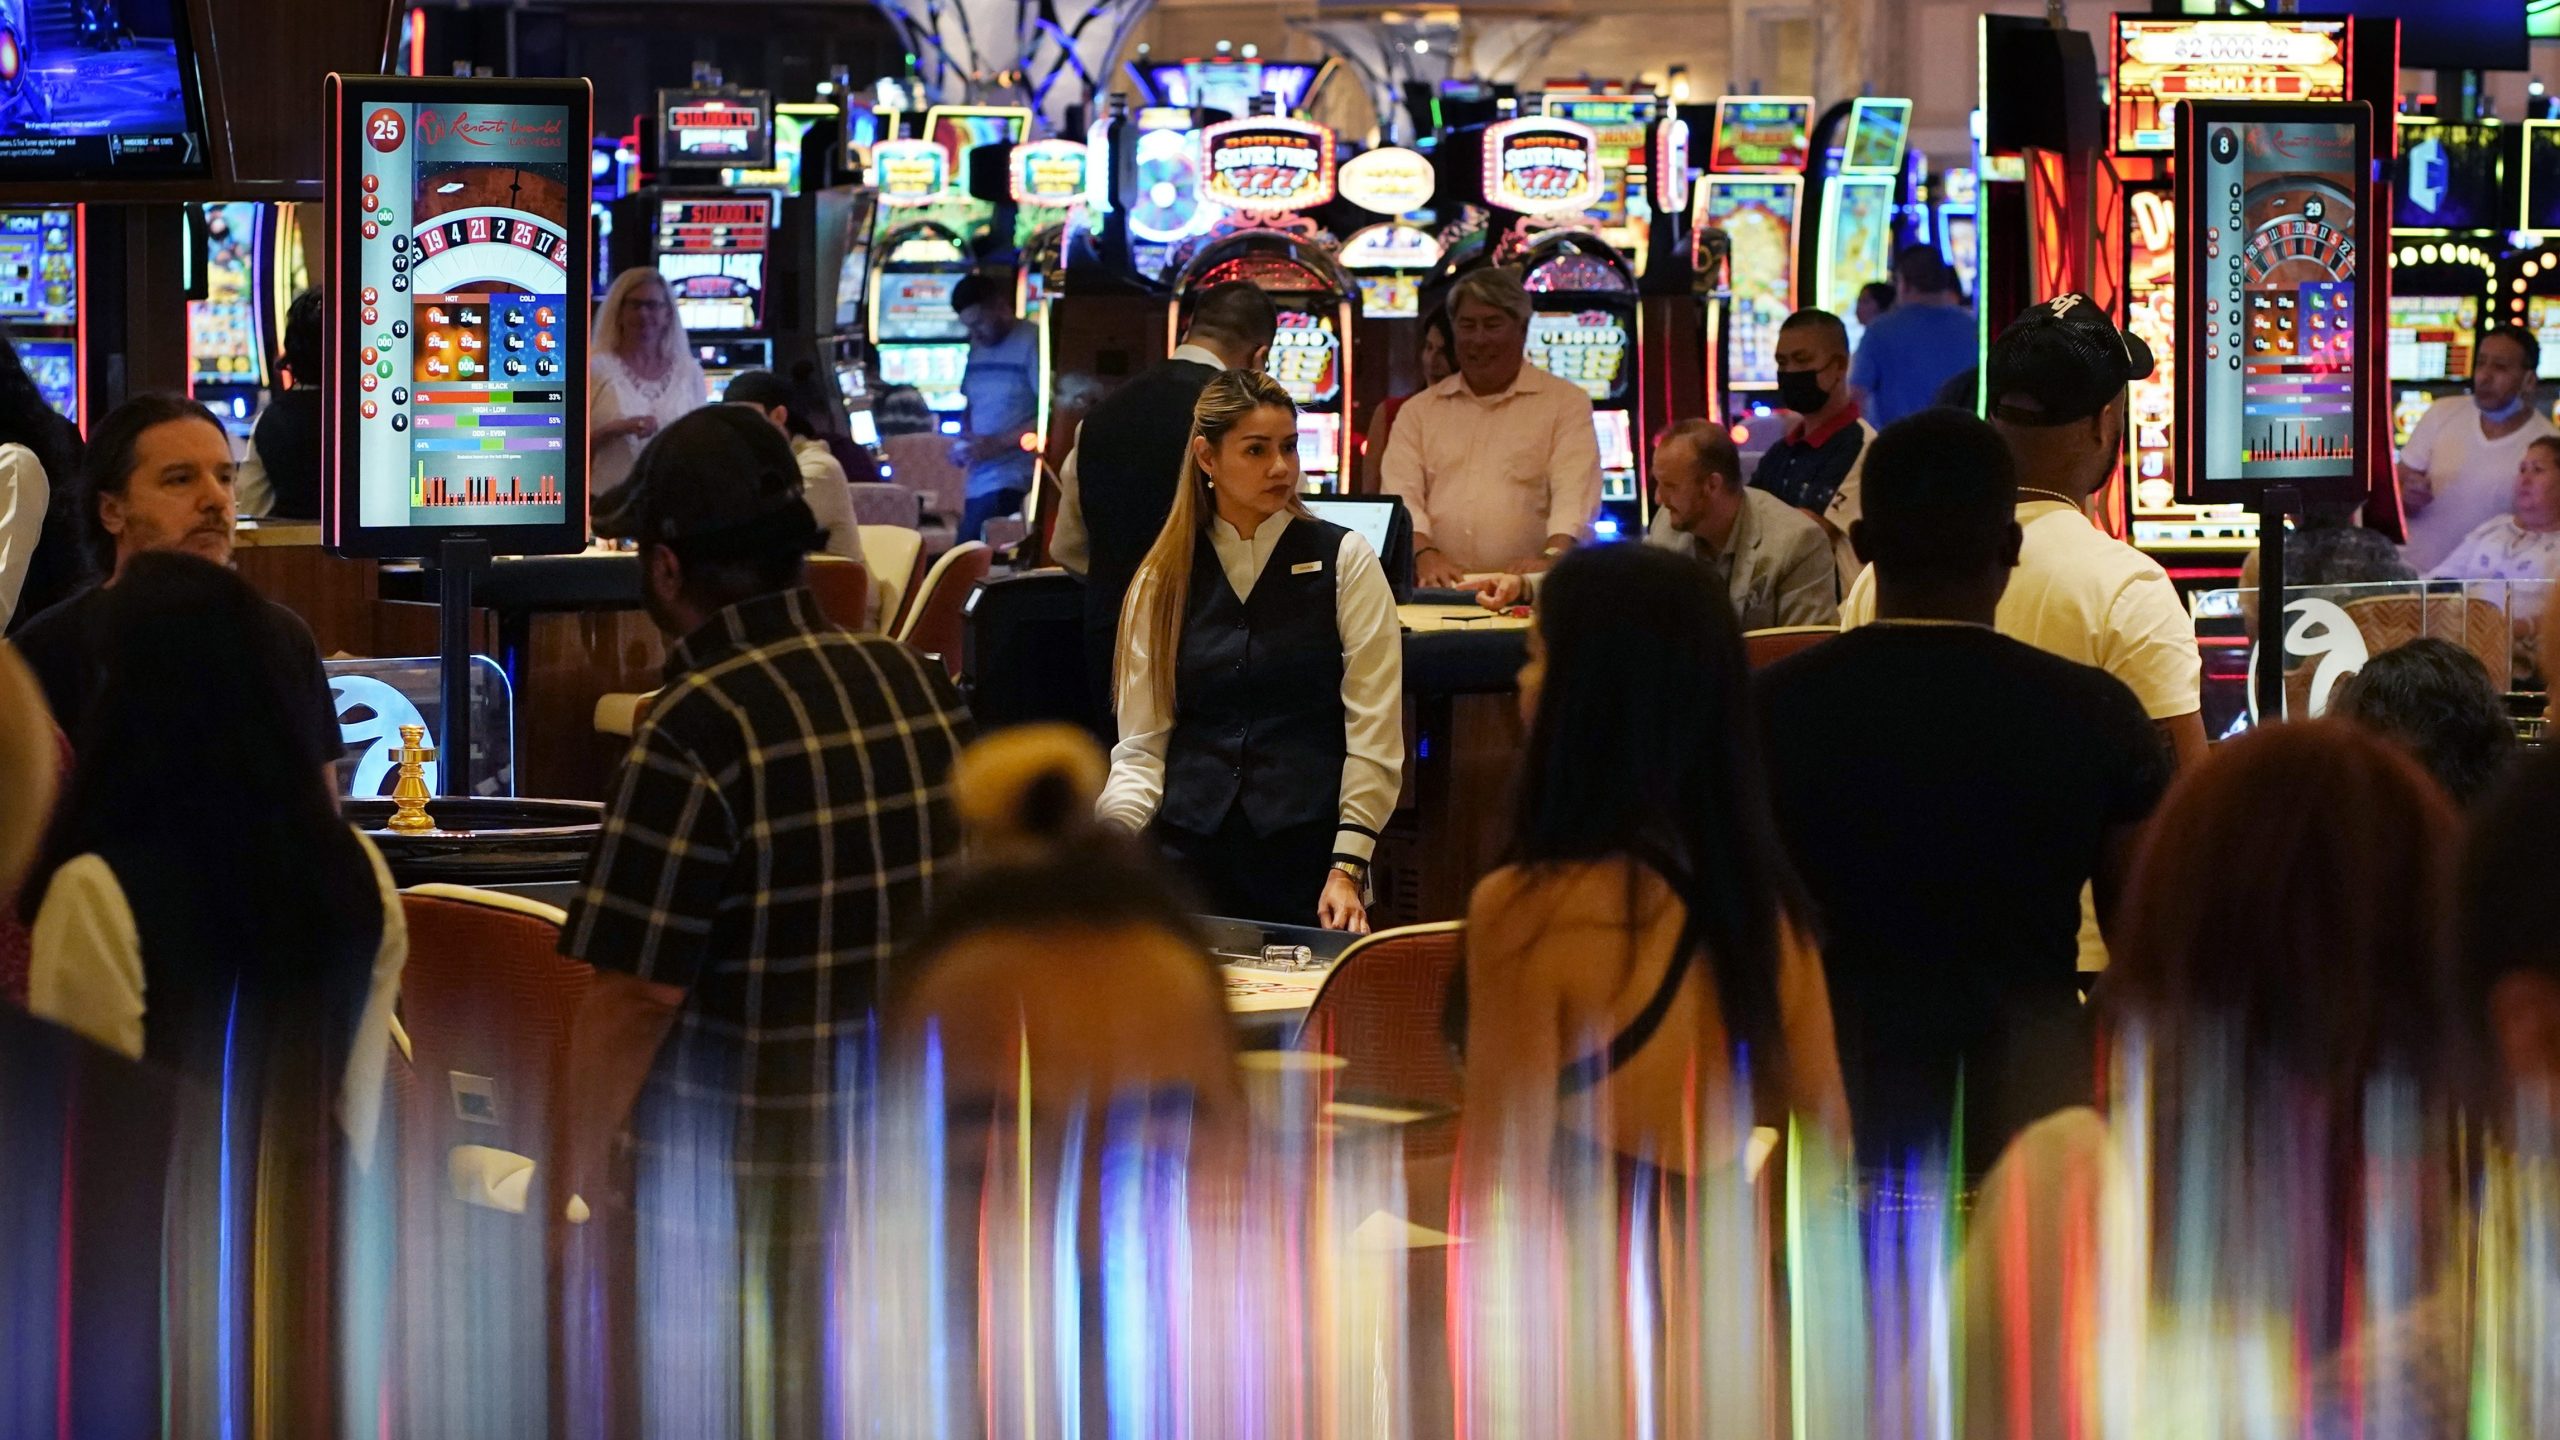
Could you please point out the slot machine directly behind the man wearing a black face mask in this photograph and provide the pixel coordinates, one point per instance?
(1755, 193)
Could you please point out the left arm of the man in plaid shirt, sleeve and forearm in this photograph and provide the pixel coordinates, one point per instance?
(644, 919)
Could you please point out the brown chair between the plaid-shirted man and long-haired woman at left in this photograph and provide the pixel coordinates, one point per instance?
(485, 1011)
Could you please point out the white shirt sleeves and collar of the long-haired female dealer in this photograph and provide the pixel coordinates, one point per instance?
(1373, 693)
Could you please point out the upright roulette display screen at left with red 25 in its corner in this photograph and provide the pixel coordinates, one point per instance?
(460, 347)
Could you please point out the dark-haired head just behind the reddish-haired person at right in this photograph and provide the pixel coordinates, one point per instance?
(2438, 703)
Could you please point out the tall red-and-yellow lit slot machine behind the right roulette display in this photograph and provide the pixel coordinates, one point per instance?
(2157, 63)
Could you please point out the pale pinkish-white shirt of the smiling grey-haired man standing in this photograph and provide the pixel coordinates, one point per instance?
(1491, 478)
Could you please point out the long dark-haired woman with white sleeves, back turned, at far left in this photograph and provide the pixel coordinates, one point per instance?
(204, 908)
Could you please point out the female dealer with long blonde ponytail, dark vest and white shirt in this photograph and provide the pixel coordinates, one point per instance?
(1261, 680)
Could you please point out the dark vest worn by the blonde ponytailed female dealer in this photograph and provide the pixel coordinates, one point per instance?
(1258, 691)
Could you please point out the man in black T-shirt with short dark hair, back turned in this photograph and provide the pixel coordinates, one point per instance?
(1947, 847)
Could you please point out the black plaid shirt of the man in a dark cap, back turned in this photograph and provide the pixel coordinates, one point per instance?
(782, 814)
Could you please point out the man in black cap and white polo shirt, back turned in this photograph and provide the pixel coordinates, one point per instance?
(2057, 396)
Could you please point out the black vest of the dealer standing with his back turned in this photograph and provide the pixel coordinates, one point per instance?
(1128, 462)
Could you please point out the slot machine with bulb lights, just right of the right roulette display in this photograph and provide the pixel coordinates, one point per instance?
(2451, 211)
